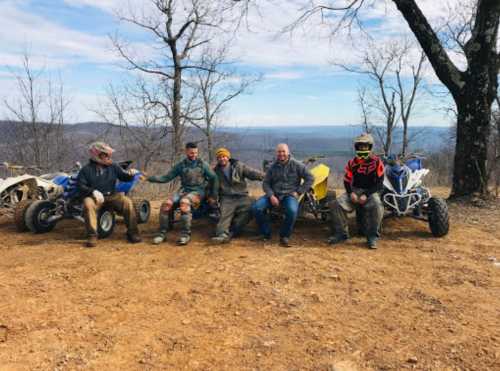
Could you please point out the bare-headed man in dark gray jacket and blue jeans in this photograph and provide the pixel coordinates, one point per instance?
(285, 181)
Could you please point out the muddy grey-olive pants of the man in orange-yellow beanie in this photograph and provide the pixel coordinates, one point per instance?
(236, 213)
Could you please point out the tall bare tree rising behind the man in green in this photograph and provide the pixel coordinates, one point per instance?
(180, 31)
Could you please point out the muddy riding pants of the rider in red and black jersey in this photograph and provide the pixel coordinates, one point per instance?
(373, 213)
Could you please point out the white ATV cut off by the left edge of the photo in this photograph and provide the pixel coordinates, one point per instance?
(18, 191)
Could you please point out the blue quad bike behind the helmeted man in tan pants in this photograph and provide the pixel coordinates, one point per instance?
(42, 216)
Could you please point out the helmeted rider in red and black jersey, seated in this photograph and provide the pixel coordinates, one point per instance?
(364, 177)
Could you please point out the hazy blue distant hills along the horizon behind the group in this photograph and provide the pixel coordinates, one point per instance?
(251, 144)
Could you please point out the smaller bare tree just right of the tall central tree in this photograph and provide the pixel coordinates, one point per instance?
(217, 84)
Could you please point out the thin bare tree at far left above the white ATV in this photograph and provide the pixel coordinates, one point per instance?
(37, 112)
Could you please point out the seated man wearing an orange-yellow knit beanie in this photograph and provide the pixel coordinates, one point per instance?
(235, 203)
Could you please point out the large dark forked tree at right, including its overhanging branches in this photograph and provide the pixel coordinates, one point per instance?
(473, 89)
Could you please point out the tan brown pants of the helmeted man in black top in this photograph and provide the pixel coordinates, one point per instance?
(119, 202)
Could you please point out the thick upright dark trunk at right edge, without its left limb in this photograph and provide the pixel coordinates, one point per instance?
(474, 105)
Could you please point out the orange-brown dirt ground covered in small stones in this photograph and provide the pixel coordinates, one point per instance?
(415, 303)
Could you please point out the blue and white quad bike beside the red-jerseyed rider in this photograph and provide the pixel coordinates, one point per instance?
(404, 194)
